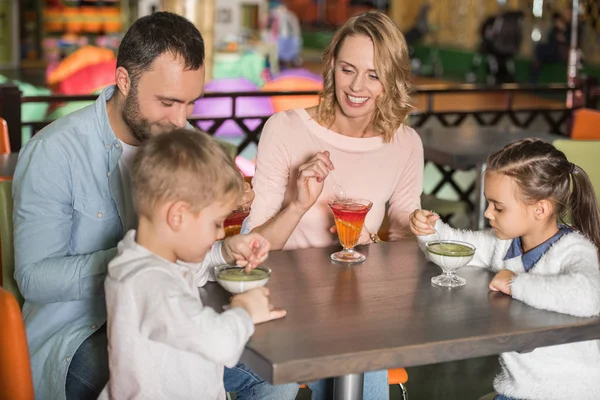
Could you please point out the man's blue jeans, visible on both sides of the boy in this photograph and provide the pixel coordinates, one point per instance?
(88, 374)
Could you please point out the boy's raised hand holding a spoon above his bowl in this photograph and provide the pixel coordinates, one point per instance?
(247, 251)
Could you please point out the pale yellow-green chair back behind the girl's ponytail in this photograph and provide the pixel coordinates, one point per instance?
(583, 153)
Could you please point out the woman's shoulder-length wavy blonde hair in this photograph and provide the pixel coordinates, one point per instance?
(392, 65)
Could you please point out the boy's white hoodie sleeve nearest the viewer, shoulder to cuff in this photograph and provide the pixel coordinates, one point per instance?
(177, 319)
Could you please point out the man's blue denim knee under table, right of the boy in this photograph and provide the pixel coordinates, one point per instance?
(249, 386)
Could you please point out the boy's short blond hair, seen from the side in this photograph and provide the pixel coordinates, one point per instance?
(186, 165)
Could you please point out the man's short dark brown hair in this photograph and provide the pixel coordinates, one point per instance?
(153, 35)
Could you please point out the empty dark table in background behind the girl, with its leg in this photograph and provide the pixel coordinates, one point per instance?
(468, 147)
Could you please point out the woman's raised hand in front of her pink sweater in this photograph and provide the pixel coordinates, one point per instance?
(311, 178)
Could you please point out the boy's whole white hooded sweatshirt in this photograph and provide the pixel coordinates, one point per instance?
(163, 343)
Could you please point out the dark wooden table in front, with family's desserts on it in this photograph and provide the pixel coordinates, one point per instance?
(385, 313)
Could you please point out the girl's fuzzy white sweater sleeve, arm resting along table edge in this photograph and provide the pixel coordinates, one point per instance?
(574, 290)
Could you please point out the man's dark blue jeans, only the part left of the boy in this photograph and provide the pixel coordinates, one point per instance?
(88, 371)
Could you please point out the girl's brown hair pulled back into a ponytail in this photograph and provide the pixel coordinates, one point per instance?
(543, 172)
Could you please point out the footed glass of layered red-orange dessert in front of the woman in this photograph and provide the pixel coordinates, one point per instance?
(349, 215)
